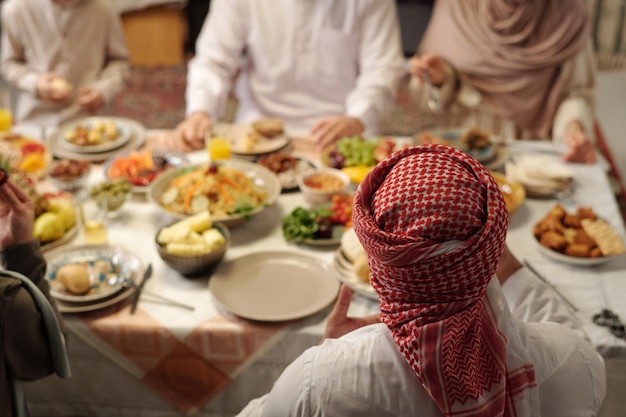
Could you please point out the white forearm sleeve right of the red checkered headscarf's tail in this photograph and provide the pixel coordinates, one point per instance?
(530, 300)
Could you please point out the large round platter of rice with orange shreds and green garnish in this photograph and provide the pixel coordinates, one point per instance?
(230, 190)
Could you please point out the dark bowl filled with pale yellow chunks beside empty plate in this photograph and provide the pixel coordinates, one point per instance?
(193, 246)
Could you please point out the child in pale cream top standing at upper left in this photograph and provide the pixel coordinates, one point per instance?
(67, 58)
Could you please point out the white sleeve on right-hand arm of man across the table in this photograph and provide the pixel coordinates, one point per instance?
(381, 65)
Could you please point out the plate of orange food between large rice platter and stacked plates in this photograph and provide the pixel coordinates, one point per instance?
(140, 168)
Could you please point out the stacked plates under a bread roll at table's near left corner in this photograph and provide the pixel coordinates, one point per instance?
(105, 264)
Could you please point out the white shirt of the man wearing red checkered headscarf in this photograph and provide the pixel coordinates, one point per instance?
(364, 374)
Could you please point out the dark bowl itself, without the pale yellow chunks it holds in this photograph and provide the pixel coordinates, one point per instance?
(194, 265)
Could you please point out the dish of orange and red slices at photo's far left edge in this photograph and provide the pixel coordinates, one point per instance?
(24, 154)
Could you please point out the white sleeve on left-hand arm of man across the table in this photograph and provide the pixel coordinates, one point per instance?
(219, 48)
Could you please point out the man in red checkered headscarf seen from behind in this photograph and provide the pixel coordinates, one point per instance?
(466, 330)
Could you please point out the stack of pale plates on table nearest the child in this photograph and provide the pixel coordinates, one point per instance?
(130, 135)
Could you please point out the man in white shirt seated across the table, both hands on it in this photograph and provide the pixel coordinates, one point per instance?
(327, 68)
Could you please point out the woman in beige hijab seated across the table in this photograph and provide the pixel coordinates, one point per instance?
(517, 69)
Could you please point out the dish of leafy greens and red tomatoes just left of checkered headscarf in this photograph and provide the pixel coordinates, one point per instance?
(321, 225)
